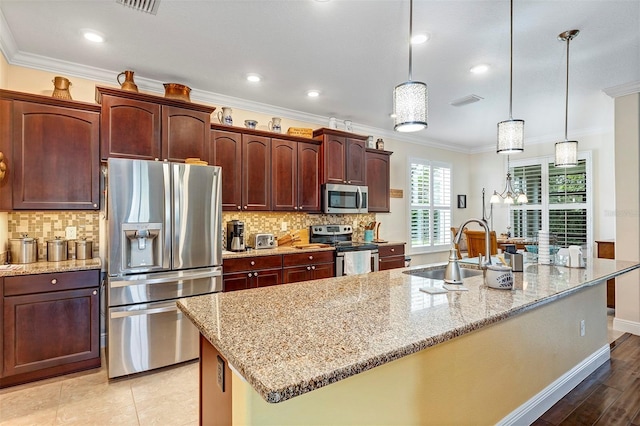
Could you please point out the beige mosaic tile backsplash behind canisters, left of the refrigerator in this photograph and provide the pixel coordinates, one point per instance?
(47, 225)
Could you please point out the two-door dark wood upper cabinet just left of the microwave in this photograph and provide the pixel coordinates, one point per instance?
(295, 176)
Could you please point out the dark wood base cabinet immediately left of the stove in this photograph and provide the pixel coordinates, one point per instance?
(307, 266)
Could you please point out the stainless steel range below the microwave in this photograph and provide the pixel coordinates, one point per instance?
(341, 237)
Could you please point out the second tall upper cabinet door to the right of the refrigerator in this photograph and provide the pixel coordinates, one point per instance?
(256, 176)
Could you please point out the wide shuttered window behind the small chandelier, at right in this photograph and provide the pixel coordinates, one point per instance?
(558, 200)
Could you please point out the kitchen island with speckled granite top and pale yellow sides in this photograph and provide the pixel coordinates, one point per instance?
(374, 349)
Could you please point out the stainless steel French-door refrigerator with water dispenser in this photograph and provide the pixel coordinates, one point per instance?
(164, 222)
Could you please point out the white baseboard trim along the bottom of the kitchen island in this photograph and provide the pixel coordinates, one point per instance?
(531, 410)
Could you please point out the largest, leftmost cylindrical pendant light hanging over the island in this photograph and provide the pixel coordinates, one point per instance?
(410, 97)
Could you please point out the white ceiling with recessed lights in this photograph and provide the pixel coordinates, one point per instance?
(354, 52)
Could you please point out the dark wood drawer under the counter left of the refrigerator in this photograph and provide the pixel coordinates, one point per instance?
(42, 283)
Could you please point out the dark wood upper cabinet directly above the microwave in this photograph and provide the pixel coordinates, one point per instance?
(343, 156)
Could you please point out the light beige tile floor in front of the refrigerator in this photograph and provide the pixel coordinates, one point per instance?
(166, 397)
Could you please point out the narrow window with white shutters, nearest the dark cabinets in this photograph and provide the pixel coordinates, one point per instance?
(429, 204)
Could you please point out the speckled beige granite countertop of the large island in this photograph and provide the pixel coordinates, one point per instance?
(291, 339)
